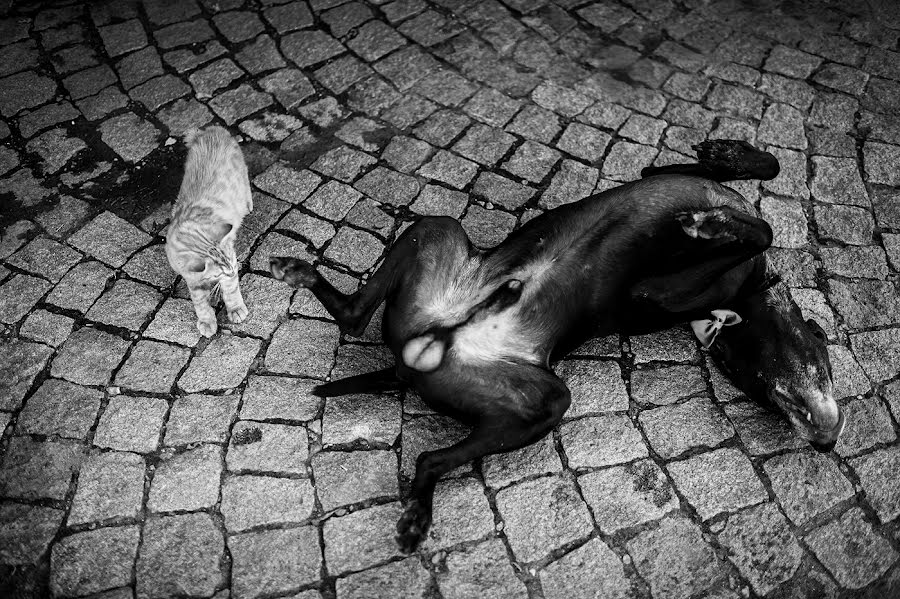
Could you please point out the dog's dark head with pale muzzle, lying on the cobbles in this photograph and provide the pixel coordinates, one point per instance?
(781, 360)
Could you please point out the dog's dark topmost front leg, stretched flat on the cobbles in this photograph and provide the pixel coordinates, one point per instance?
(723, 160)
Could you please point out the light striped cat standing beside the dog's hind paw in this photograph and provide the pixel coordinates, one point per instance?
(213, 200)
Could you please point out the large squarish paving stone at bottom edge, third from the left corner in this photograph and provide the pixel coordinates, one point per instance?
(180, 555)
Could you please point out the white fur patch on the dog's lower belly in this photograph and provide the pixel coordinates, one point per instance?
(496, 337)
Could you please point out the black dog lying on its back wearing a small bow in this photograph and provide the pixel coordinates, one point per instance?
(474, 332)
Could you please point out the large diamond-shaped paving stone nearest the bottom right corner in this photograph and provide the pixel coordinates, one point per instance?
(851, 550)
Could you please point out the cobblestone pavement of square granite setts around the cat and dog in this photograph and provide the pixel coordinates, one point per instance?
(138, 459)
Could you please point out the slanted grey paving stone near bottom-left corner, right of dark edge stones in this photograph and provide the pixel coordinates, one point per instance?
(93, 561)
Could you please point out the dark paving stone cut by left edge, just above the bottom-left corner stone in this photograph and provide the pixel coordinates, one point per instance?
(26, 532)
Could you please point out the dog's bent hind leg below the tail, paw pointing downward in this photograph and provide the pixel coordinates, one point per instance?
(518, 405)
